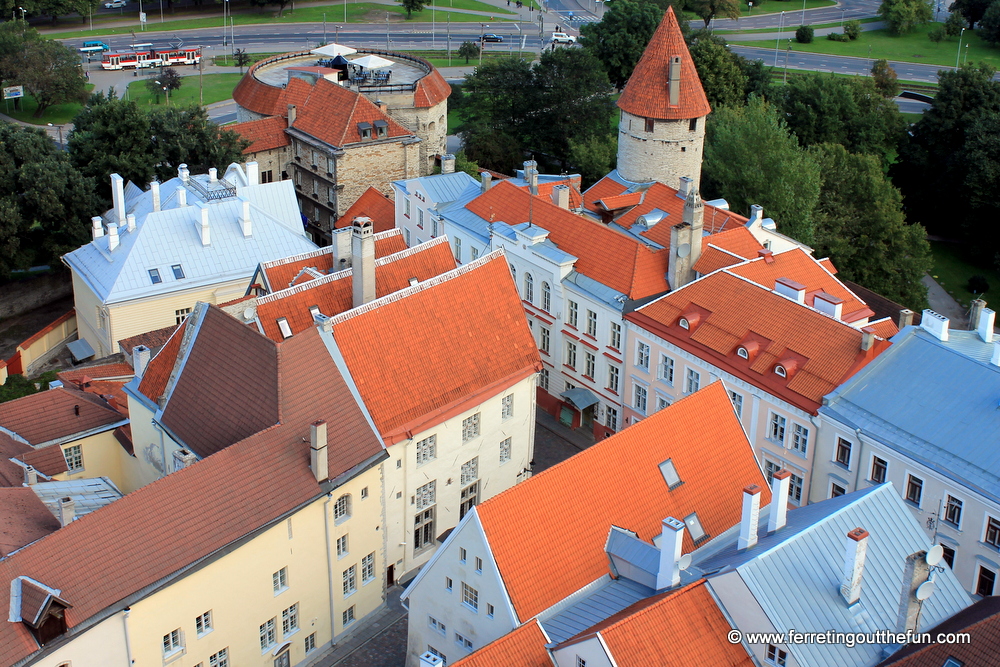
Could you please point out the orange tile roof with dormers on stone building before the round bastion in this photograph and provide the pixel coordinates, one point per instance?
(332, 113)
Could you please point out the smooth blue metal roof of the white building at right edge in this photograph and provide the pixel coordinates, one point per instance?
(935, 402)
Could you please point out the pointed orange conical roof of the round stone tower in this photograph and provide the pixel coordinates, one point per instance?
(647, 92)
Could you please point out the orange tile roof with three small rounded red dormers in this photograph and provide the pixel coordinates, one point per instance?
(733, 309)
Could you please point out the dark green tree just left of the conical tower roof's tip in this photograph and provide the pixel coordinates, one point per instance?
(621, 36)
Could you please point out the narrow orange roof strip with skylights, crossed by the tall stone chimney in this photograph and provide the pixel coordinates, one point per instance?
(333, 293)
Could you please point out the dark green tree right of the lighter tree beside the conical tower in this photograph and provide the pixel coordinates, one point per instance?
(860, 225)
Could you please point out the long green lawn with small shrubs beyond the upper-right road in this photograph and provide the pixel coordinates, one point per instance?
(915, 47)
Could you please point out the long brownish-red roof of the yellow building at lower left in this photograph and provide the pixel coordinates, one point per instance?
(173, 522)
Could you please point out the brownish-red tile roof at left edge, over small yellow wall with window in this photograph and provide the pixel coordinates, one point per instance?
(56, 414)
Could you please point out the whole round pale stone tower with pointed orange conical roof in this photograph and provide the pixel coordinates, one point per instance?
(661, 133)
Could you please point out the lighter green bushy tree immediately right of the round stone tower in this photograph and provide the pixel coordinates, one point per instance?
(752, 158)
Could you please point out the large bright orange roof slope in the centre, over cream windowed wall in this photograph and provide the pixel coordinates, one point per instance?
(450, 342)
